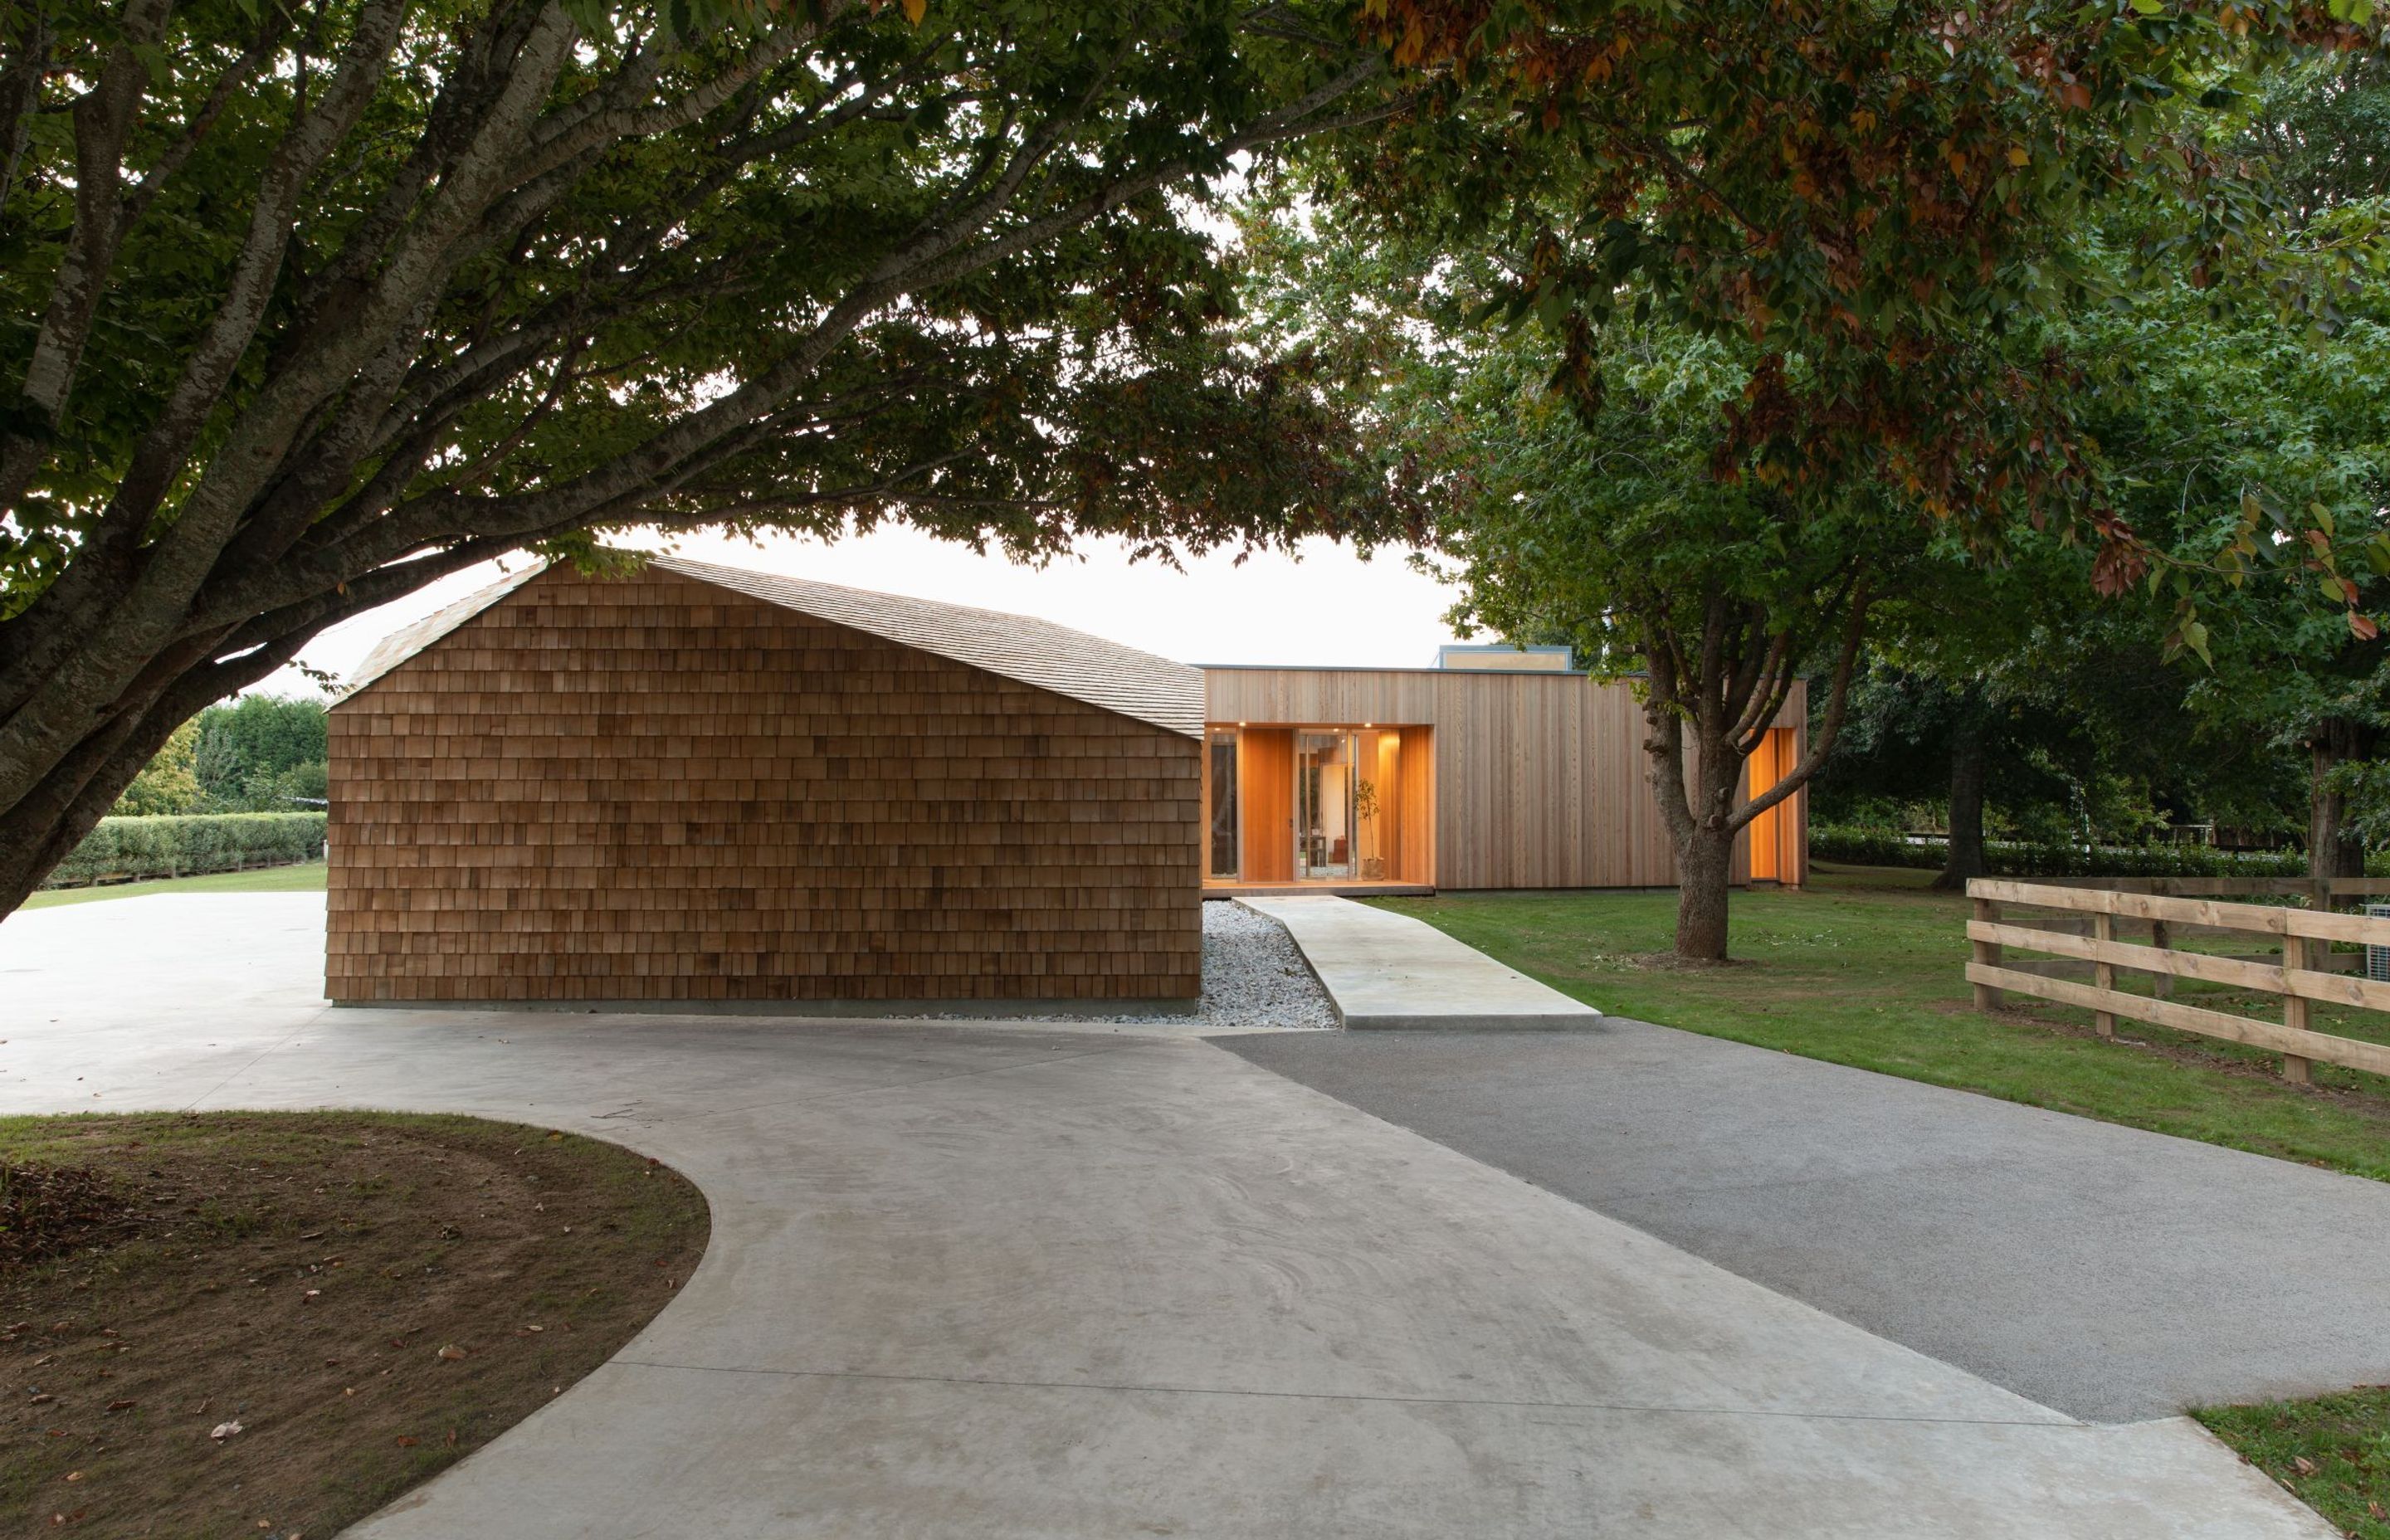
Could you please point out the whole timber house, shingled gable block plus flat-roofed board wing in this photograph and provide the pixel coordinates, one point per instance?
(716, 786)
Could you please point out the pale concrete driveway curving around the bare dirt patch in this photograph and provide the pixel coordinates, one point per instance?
(1096, 1283)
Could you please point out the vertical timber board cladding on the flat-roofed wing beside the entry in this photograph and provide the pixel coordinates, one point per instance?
(1540, 781)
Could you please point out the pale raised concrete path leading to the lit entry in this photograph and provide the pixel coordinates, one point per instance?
(1392, 972)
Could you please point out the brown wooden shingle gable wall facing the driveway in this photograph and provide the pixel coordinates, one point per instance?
(661, 790)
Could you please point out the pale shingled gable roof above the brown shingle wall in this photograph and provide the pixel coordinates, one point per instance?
(1017, 647)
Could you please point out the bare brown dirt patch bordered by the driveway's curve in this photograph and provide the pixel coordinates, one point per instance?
(276, 1324)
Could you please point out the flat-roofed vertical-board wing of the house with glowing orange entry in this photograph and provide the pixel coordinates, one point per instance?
(1495, 769)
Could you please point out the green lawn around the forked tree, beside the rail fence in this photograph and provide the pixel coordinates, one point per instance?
(1868, 967)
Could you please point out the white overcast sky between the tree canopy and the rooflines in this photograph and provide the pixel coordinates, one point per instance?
(1328, 609)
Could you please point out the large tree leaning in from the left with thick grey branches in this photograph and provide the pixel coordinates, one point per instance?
(312, 302)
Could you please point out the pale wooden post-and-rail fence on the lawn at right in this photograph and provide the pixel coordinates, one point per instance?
(2300, 977)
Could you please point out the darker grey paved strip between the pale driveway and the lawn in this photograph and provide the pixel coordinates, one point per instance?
(2095, 1269)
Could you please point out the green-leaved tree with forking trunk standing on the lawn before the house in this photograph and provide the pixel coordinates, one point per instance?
(1588, 506)
